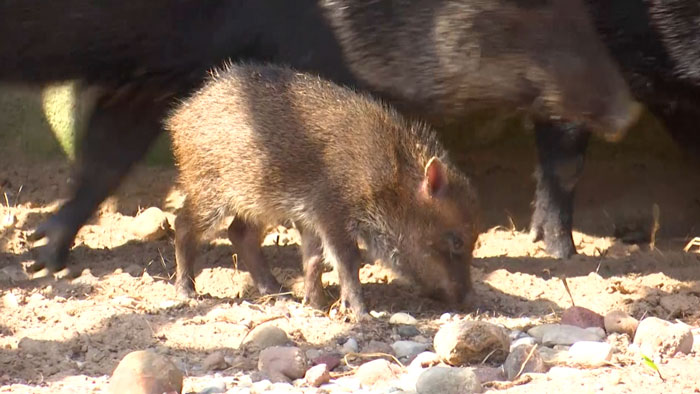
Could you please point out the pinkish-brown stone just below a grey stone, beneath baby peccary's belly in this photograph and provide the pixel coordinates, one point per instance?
(282, 364)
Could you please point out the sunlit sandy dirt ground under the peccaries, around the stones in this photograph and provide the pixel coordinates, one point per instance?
(68, 336)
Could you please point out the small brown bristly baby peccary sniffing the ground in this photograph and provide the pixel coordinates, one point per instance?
(268, 144)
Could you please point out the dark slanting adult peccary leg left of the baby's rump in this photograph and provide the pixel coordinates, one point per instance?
(120, 131)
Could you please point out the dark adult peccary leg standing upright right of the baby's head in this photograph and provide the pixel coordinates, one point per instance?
(561, 152)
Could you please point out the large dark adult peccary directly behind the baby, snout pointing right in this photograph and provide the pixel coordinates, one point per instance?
(435, 59)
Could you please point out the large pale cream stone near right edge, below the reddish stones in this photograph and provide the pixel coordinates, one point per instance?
(656, 337)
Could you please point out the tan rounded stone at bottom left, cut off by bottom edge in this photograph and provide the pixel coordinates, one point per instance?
(145, 372)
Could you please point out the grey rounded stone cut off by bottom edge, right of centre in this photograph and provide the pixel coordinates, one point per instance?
(448, 380)
